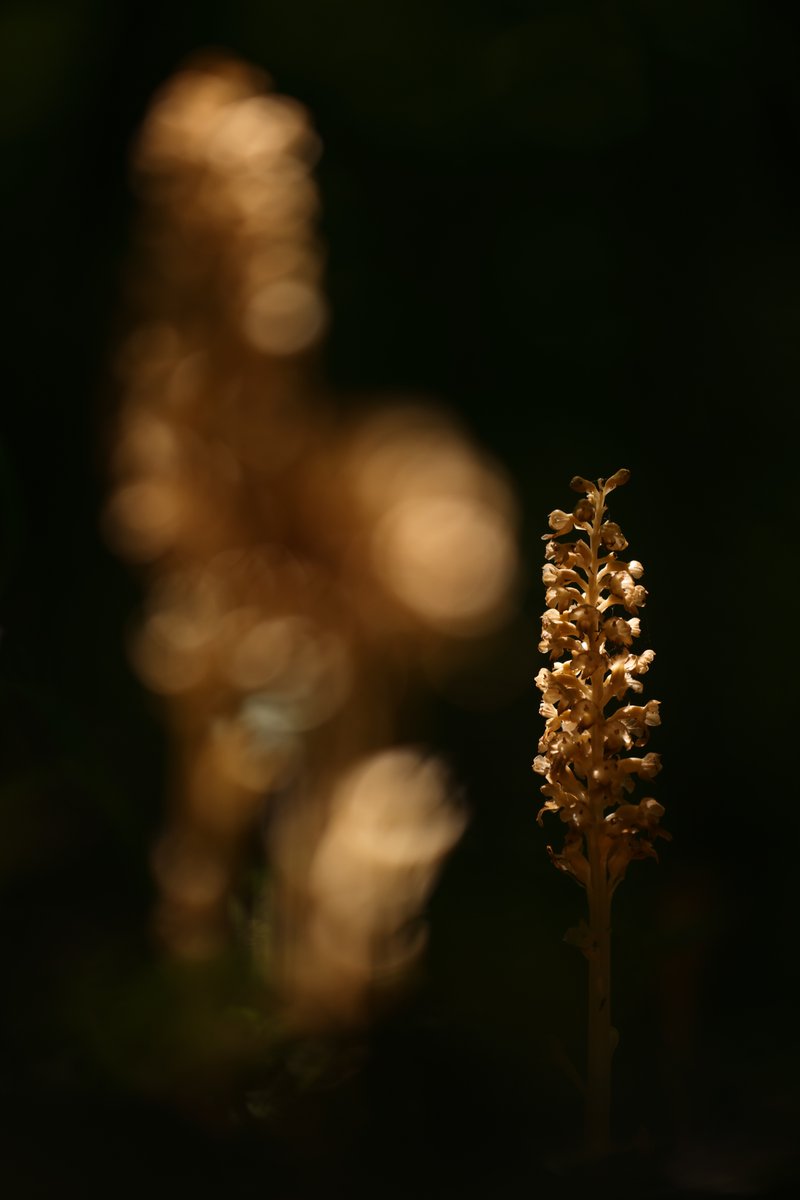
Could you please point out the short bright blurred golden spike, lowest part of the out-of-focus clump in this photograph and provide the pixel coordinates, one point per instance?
(392, 824)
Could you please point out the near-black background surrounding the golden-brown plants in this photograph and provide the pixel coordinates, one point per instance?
(579, 226)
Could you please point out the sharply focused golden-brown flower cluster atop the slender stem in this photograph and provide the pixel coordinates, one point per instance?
(592, 748)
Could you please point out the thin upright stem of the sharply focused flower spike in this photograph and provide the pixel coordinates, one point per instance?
(599, 1049)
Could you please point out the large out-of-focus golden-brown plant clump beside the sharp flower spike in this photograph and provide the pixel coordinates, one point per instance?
(296, 565)
